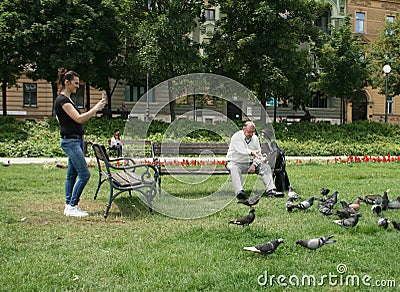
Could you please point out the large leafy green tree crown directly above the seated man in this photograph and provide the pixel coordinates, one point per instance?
(264, 45)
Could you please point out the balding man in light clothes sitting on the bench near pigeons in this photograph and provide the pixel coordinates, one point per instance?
(244, 156)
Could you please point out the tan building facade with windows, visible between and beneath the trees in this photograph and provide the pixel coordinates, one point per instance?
(34, 100)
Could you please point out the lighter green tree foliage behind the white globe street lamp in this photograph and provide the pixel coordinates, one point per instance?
(386, 51)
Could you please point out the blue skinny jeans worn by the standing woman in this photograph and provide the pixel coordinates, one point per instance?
(77, 168)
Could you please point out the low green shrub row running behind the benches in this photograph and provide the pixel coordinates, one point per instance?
(41, 139)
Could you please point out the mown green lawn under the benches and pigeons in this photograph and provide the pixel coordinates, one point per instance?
(42, 250)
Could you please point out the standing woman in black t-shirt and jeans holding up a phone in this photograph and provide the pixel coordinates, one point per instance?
(71, 131)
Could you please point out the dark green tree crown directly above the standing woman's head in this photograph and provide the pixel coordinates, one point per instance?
(77, 35)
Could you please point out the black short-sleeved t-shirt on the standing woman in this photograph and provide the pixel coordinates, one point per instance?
(67, 125)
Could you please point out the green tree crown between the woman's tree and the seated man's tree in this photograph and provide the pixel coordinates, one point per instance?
(158, 40)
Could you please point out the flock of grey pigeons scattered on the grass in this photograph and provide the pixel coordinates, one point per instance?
(348, 215)
